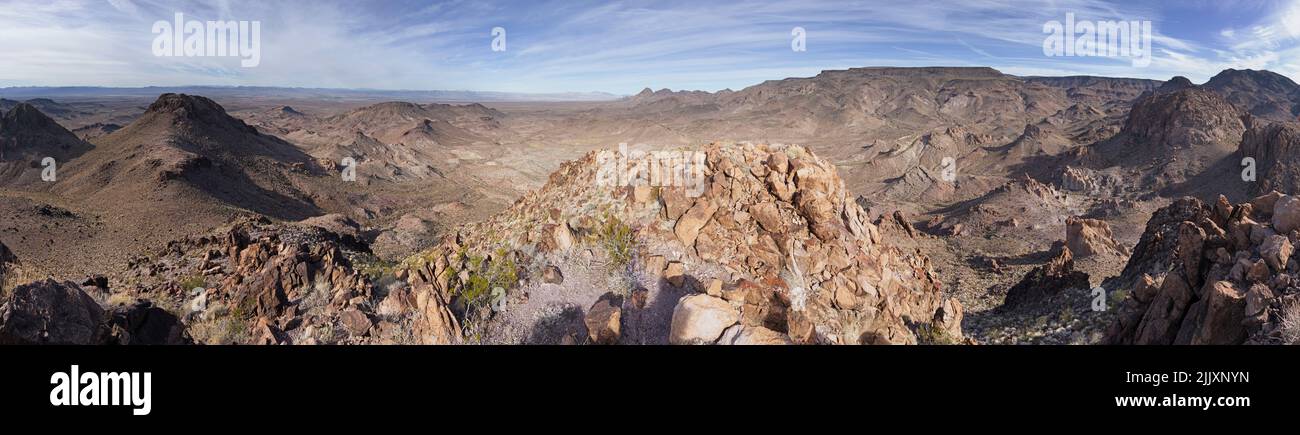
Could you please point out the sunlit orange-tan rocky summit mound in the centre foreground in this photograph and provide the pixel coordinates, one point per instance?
(773, 247)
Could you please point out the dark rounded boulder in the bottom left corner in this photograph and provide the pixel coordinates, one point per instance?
(50, 312)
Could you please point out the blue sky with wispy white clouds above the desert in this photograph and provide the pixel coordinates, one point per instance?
(621, 47)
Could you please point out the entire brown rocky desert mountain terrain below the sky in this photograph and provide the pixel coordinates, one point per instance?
(872, 206)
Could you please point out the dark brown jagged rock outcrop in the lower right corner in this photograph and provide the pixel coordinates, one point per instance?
(1210, 275)
